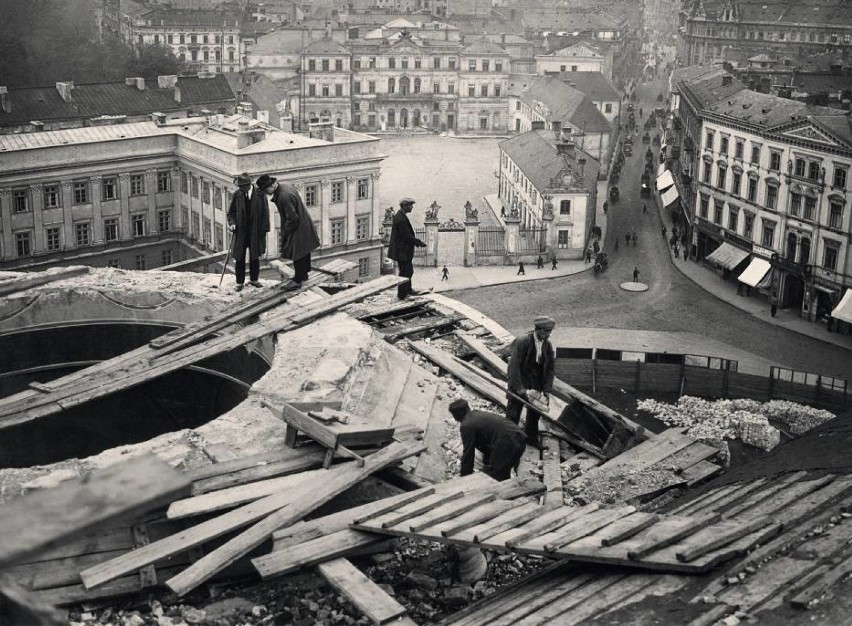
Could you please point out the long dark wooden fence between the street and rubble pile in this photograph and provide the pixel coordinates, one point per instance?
(647, 379)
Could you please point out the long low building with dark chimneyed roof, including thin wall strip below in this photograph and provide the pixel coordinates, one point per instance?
(71, 105)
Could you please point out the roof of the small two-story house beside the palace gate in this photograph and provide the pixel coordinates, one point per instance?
(535, 153)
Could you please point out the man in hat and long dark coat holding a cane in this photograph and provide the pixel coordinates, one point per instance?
(248, 220)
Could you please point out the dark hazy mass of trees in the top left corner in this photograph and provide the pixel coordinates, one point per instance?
(45, 41)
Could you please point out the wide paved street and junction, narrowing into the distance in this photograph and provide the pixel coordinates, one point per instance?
(672, 303)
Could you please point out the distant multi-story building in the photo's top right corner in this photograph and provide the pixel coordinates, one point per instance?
(734, 30)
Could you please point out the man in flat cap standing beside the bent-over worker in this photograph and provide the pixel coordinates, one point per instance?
(531, 368)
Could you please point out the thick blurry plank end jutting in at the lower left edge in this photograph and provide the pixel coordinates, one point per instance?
(45, 519)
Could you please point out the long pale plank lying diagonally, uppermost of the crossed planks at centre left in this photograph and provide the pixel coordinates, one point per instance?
(306, 500)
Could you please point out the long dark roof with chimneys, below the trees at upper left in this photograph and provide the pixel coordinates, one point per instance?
(95, 99)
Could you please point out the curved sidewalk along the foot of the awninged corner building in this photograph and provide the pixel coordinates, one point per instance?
(755, 305)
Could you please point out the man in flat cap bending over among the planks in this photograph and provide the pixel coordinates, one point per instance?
(501, 442)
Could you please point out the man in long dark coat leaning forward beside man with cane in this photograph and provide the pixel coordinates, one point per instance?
(298, 235)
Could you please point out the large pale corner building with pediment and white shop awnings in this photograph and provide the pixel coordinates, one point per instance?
(771, 184)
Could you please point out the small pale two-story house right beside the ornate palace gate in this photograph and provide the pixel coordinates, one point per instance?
(550, 184)
